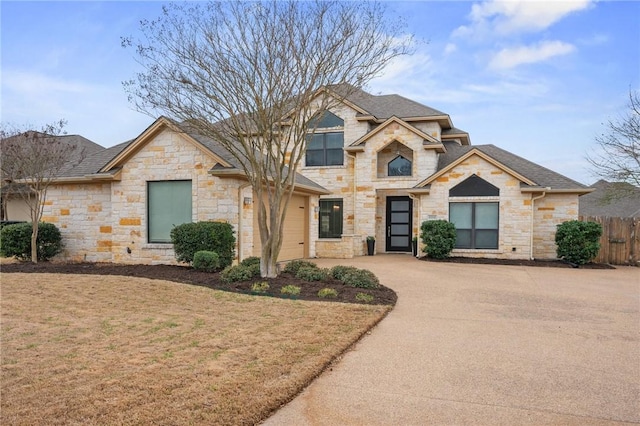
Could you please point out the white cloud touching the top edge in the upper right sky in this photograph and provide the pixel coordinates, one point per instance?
(504, 17)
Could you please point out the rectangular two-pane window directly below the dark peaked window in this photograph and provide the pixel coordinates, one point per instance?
(476, 224)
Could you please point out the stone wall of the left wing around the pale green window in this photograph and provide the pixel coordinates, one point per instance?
(99, 222)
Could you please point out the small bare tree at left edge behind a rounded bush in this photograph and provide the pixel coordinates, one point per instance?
(30, 162)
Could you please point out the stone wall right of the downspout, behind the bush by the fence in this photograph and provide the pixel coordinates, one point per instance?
(549, 212)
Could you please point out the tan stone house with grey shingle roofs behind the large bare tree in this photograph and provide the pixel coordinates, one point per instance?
(375, 166)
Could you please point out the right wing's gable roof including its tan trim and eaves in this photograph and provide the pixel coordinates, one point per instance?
(532, 175)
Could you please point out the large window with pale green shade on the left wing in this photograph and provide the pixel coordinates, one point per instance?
(168, 204)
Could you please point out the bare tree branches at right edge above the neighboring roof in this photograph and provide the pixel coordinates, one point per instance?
(618, 155)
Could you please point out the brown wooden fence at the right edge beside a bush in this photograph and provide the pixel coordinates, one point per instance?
(620, 241)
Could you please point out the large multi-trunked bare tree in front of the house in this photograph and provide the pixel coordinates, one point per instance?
(253, 75)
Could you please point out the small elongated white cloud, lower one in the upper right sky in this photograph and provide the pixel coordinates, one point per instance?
(513, 57)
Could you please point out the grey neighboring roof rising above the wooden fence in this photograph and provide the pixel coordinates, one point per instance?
(613, 199)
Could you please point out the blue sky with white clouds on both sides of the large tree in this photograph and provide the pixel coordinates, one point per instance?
(537, 78)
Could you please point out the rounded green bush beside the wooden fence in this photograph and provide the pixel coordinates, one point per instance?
(578, 242)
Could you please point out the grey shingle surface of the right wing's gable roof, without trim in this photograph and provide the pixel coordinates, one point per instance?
(540, 175)
